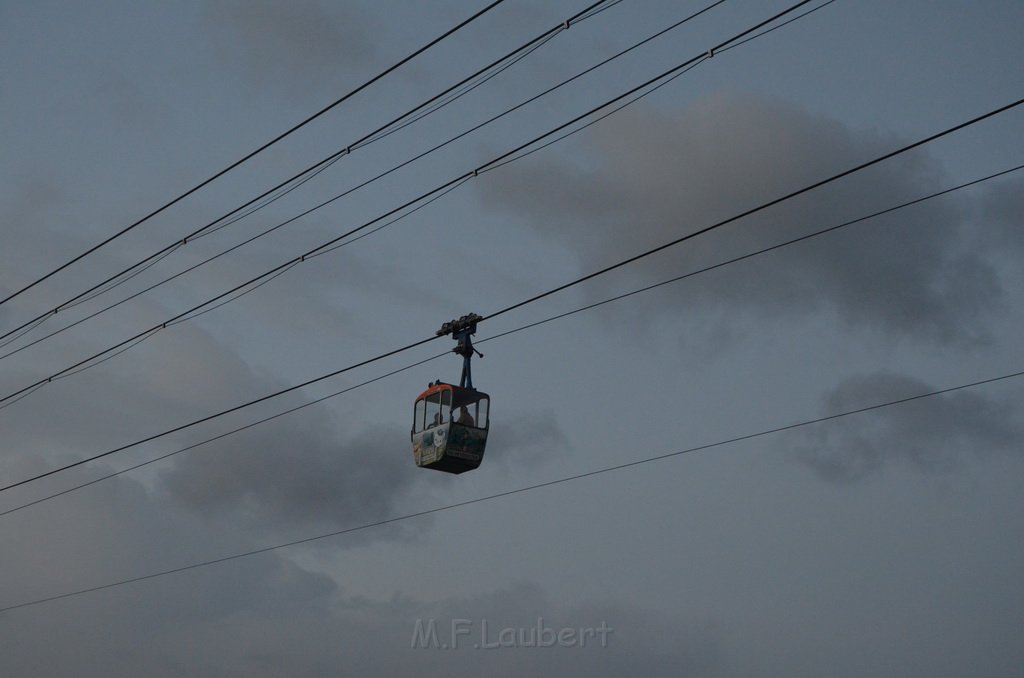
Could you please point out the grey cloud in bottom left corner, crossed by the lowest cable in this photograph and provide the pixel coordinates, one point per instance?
(119, 531)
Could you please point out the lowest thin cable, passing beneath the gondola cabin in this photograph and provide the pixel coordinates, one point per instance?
(518, 491)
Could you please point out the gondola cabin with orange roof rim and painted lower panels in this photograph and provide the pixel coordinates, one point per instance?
(450, 429)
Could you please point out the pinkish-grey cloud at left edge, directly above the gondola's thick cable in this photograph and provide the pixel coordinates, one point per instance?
(163, 383)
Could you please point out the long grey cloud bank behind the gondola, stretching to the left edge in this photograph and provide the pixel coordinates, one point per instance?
(310, 473)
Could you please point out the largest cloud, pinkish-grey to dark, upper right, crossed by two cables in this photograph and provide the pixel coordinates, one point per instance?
(647, 178)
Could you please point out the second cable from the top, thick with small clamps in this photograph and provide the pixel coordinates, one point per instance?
(316, 168)
